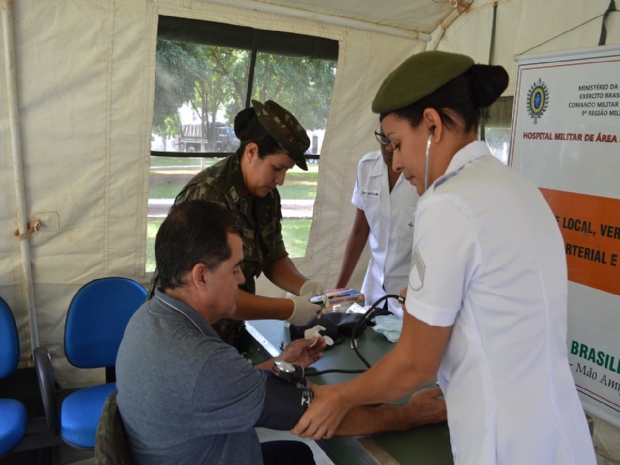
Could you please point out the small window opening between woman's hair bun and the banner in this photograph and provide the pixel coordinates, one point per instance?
(496, 127)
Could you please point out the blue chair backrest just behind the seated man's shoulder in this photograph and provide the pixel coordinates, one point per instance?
(96, 320)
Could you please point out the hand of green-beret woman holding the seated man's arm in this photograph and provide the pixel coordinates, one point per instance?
(324, 414)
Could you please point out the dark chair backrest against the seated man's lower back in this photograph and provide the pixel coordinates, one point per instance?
(111, 442)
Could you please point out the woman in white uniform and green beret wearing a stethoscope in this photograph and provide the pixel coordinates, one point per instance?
(486, 300)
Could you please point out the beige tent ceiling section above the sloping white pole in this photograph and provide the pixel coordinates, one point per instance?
(411, 15)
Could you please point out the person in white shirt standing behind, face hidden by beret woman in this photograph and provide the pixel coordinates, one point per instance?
(386, 205)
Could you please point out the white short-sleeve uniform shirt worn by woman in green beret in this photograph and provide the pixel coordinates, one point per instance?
(489, 259)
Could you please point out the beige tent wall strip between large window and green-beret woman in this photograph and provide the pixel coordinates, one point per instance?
(363, 64)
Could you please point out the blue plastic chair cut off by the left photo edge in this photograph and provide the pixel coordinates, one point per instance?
(13, 415)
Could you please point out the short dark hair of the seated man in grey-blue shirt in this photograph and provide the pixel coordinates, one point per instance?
(194, 232)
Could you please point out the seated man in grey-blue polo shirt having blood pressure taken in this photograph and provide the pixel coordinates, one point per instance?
(188, 398)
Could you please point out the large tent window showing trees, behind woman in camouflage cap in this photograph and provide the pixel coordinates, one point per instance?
(207, 72)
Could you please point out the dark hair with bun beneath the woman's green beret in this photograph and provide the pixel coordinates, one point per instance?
(463, 97)
